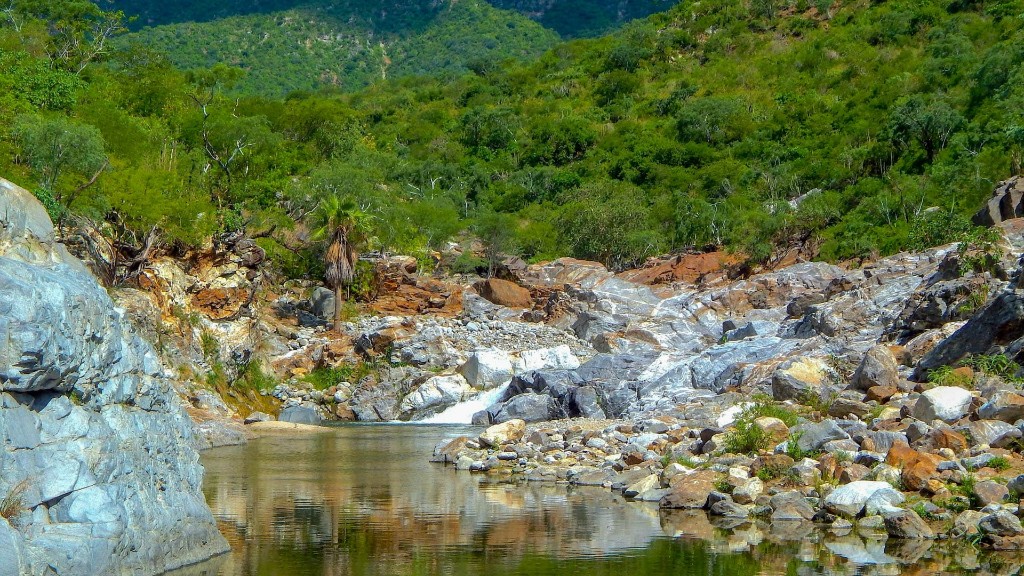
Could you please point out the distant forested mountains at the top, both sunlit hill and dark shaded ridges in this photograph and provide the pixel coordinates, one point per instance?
(286, 46)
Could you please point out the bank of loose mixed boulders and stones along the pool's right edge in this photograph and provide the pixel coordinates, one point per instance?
(837, 474)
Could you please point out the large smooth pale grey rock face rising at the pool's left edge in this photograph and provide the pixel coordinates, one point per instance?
(96, 439)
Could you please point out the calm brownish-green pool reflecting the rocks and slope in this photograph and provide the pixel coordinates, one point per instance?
(364, 501)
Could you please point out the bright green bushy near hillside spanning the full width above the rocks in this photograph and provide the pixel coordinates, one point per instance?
(849, 130)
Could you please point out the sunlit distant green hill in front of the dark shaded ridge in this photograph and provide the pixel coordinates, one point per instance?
(348, 46)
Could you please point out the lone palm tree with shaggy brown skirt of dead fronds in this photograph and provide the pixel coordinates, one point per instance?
(342, 222)
